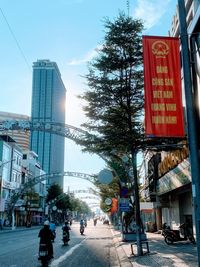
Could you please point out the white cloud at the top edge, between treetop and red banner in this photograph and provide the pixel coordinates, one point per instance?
(150, 11)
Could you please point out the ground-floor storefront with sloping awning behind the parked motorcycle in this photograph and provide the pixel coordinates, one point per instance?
(175, 195)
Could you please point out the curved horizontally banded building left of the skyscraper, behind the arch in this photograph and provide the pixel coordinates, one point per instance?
(20, 137)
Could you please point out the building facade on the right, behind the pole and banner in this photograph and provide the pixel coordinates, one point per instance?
(168, 180)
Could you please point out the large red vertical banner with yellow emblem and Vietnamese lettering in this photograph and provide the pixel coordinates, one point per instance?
(162, 84)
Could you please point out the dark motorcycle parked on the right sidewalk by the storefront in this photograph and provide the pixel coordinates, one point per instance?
(171, 236)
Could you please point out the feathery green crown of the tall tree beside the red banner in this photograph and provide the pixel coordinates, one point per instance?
(115, 95)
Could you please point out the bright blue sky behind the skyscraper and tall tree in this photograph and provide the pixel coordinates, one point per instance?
(67, 32)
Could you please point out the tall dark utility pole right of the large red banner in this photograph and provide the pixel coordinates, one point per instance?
(191, 121)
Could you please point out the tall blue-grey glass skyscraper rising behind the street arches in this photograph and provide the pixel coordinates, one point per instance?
(48, 105)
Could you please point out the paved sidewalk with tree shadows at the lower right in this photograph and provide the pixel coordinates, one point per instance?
(181, 254)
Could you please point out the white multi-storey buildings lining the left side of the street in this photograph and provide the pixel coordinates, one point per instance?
(17, 168)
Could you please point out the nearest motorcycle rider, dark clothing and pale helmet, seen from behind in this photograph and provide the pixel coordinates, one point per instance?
(45, 235)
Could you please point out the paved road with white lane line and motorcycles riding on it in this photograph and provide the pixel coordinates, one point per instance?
(95, 248)
